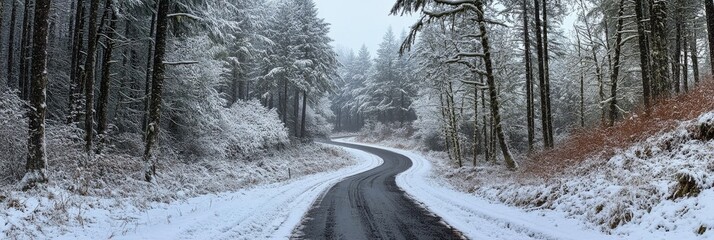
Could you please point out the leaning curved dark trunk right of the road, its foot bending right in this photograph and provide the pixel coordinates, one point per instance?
(492, 87)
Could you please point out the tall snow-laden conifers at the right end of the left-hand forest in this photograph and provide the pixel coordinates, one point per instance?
(301, 60)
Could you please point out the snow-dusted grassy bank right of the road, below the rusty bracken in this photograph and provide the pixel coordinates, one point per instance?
(661, 187)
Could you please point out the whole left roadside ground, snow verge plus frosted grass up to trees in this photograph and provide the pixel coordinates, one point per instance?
(101, 201)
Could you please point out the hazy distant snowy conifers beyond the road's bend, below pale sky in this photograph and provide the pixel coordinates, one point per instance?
(378, 90)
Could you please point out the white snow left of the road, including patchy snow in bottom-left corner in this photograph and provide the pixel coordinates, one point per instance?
(267, 211)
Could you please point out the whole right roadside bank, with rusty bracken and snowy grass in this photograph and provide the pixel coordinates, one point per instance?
(656, 184)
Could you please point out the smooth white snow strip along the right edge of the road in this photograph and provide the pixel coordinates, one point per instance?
(478, 218)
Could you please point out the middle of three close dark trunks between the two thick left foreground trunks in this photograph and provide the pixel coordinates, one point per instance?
(89, 76)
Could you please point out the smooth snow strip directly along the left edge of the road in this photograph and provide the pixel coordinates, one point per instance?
(264, 212)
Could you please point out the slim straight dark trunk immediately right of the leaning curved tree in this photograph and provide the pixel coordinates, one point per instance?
(530, 118)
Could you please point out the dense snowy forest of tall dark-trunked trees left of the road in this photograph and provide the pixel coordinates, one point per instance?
(167, 72)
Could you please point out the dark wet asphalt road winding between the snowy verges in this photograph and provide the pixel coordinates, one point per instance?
(369, 205)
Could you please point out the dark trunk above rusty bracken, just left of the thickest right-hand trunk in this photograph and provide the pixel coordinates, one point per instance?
(645, 67)
